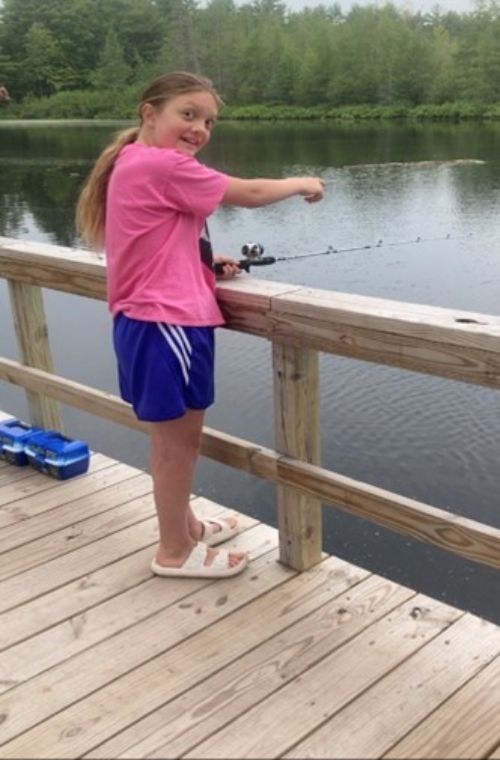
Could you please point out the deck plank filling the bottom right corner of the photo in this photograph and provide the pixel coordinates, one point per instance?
(466, 726)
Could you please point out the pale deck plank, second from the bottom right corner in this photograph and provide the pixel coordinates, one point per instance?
(437, 670)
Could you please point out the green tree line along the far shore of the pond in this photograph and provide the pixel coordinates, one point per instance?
(256, 52)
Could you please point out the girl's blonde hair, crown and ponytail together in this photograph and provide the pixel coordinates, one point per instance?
(91, 206)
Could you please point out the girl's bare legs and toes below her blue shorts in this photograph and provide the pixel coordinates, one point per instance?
(175, 447)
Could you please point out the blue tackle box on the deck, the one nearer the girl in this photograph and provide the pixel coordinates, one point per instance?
(58, 456)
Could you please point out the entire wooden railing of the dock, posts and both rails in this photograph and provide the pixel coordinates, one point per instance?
(300, 322)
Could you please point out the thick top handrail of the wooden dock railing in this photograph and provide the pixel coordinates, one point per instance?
(451, 343)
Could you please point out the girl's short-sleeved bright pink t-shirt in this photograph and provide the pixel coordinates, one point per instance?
(157, 203)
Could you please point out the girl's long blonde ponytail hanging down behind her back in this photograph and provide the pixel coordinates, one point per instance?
(91, 207)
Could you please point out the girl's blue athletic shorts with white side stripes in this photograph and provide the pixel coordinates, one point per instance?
(163, 370)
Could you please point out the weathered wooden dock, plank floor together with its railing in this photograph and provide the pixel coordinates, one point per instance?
(99, 659)
